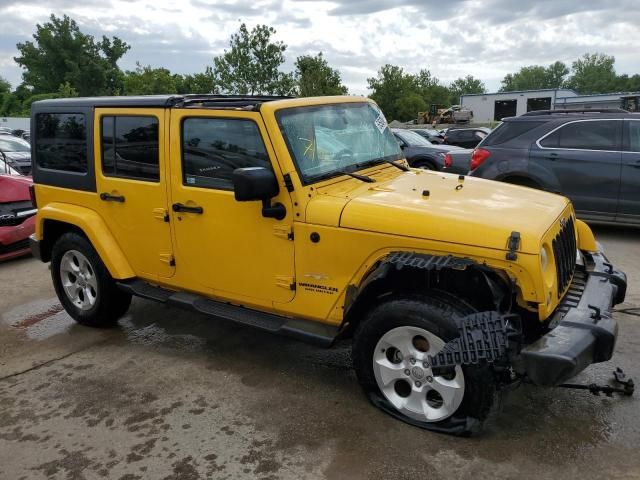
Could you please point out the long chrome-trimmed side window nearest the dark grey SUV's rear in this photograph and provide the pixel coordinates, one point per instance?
(585, 135)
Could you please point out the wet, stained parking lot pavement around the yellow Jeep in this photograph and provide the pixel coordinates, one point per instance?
(175, 395)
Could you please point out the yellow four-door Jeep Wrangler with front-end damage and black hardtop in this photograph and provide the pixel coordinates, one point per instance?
(301, 217)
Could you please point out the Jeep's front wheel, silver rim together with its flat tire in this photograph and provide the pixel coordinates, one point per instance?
(391, 356)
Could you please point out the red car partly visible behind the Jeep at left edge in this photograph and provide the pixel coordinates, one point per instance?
(17, 220)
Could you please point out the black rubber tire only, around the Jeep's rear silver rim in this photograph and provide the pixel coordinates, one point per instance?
(111, 303)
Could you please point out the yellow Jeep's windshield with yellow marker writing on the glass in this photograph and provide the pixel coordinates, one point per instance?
(328, 139)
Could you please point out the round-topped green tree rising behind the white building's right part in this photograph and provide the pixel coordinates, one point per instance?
(593, 73)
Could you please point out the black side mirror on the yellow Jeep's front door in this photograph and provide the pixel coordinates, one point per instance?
(258, 183)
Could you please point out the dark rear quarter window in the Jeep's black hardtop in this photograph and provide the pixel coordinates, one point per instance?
(61, 142)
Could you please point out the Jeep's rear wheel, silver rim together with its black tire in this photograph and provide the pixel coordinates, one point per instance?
(83, 284)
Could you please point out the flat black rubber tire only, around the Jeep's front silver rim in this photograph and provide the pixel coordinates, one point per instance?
(436, 312)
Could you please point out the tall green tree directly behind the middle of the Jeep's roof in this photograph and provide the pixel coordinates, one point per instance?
(252, 64)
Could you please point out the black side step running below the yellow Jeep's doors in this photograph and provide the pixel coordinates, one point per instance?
(307, 331)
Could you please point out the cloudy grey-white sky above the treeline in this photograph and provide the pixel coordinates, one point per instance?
(451, 38)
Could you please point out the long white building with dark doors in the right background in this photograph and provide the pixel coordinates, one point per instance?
(490, 107)
